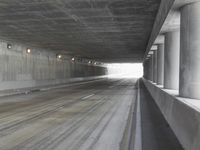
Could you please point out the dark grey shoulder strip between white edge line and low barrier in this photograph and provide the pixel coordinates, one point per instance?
(156, 133)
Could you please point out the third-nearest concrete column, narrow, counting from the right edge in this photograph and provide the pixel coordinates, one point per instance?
(160, 64)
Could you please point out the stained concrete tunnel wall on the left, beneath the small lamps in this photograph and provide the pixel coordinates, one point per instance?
(19, 69)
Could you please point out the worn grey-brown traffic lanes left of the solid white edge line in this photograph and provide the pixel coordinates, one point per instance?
(91, 116)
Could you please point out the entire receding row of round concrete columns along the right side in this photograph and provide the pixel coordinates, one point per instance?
(176, 63)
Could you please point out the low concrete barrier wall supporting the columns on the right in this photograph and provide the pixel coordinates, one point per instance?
(183, 115)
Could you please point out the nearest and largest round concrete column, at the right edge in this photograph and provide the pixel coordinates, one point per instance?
(190, 51)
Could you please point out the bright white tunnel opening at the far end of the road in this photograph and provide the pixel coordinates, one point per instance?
(125, 70)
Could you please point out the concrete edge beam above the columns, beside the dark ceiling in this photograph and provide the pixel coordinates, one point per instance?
(167, 19)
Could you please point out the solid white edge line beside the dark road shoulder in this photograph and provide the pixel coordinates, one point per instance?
(138, 134)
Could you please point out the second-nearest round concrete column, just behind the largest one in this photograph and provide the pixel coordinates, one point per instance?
(171, 60)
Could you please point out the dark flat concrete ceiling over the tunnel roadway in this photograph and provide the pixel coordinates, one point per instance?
(105, 30)
